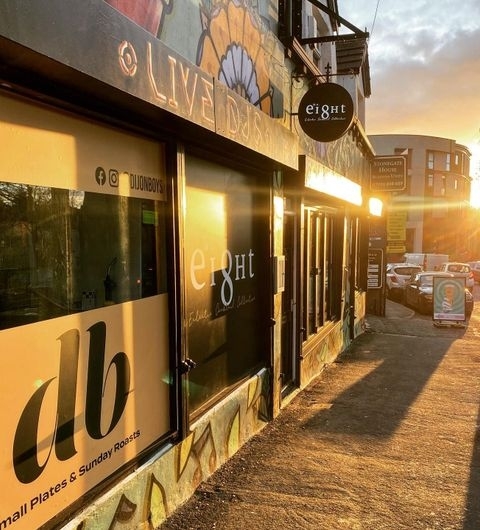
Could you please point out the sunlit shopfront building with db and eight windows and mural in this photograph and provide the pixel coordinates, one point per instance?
(178, 257)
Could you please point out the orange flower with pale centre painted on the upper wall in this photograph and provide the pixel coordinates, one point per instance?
(231, 49)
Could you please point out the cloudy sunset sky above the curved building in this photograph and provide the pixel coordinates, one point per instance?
(425, 67)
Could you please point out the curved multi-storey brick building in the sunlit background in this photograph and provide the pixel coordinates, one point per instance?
(433, 213)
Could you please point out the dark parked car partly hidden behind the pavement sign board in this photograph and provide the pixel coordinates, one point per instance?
(419, 292)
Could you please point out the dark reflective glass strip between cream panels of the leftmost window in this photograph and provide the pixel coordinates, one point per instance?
(65, 251)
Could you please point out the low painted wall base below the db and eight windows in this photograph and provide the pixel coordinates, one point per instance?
(149, 495)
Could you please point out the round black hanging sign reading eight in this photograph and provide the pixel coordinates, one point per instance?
(325, 112)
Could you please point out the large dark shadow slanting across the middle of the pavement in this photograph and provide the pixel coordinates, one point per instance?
(376, 404)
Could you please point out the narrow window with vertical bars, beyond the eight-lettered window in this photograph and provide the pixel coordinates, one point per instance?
(321, 290)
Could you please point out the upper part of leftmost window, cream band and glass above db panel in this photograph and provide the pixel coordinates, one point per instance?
(81, 215)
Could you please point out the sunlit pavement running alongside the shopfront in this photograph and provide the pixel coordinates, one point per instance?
(386, 438)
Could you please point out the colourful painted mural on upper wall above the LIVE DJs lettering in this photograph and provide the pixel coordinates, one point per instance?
(233, 45)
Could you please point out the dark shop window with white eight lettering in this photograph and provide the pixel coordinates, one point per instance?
(227, 288)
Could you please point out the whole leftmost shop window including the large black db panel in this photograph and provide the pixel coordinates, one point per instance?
(84, 309)
